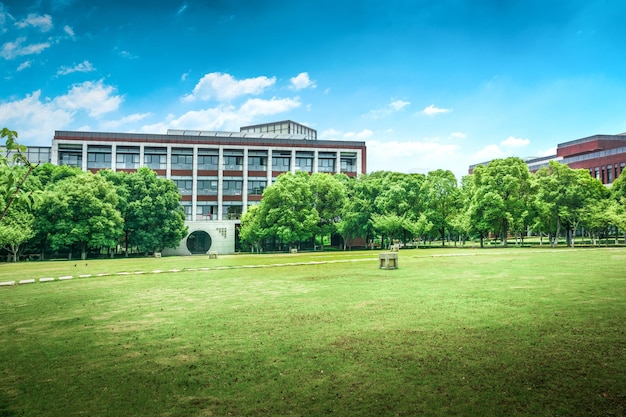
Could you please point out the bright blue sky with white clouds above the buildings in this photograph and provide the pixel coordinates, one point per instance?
(426, 84)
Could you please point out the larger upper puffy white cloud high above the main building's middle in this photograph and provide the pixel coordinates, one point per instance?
(224, 87)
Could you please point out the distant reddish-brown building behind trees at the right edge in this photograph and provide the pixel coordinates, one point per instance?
(604, 156)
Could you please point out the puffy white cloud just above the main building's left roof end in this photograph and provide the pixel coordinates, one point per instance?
(94, 97)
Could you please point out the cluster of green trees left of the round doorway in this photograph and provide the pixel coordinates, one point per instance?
(61, 209)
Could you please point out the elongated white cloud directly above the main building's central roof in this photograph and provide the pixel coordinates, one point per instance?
(224, 117)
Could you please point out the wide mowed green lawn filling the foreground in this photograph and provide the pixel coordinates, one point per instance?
(518, 332)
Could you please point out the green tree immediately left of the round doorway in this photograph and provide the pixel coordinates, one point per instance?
(150, 206)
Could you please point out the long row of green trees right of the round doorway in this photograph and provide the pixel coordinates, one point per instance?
(501, 199)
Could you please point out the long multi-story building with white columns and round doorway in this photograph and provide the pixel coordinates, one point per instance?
(219, 174)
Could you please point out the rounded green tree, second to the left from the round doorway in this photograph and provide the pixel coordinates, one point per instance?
(81, 211)
